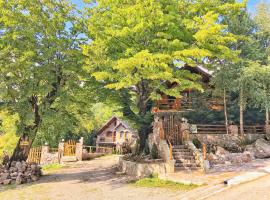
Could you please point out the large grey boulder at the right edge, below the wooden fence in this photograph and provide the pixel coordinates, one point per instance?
(259, 149)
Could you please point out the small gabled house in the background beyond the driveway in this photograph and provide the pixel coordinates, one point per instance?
(114, 132)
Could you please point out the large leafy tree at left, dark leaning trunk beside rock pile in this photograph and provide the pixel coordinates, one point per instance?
(41, 78)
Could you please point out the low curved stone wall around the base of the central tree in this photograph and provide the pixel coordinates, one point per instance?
(140, 170)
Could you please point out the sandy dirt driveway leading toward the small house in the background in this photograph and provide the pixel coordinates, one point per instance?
(94, 179)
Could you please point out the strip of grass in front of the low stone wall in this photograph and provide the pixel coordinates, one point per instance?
(155, 182)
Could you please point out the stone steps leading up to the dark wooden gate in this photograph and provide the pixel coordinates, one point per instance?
(184, 158)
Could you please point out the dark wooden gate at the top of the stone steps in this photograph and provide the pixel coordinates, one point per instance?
(172, 129)
